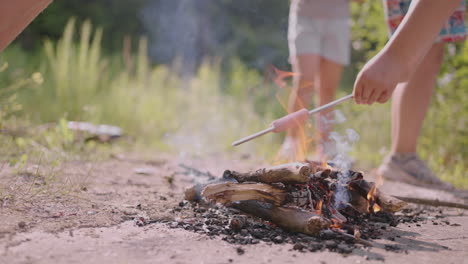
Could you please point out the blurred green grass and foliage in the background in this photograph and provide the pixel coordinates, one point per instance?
(78, 75)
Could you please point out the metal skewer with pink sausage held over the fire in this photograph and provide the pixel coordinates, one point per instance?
(291, 120)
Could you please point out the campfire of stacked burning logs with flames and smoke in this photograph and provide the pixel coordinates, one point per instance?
(306, 197)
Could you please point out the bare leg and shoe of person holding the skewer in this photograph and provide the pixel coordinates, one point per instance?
(409, 106)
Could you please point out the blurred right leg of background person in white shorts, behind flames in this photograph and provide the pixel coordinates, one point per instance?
(330, 75)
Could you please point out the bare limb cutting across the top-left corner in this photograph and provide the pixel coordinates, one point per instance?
(15, 15)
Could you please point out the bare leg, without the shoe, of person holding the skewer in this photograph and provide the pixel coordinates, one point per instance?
(411, 101)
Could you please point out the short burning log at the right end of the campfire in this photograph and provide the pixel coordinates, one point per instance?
(388, 203)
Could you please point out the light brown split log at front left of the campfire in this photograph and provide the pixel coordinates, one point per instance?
(228, 192)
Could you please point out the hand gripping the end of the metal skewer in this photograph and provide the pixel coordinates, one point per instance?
(378, 78)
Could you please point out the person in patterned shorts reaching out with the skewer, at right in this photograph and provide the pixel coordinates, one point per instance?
(406, 70)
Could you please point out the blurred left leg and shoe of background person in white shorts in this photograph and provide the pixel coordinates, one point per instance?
(306, 76)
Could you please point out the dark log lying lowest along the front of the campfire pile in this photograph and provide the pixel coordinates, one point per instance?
(291, 219)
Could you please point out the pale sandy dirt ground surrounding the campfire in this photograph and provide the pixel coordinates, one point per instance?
(92, 222)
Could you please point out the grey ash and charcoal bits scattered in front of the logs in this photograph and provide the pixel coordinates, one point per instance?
(236, 228)
